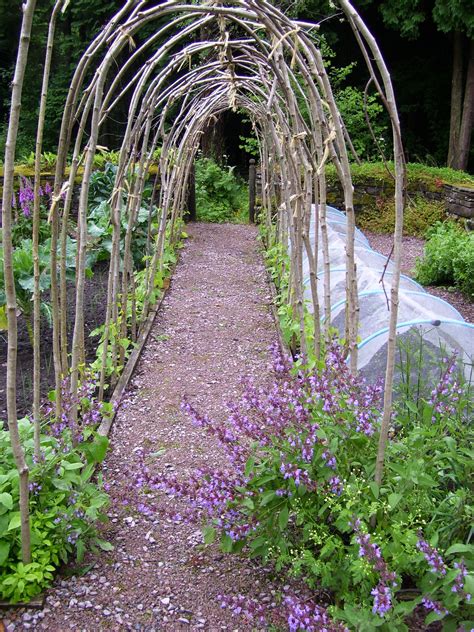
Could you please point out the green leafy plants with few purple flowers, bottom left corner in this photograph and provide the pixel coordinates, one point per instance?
(65, 500)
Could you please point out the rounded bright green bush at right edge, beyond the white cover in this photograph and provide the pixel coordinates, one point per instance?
(448, 258)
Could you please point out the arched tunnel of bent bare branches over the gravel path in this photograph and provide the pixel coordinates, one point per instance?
(179, 66)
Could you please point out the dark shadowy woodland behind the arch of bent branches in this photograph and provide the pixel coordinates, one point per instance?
(416, 37)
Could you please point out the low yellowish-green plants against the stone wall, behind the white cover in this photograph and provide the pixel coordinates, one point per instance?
(420, 215)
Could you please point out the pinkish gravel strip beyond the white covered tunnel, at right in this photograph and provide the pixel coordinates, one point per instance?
(412, 249)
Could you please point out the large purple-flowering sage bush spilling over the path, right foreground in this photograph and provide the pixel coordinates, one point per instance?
(298, 491)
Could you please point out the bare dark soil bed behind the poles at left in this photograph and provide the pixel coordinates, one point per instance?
(95, 298)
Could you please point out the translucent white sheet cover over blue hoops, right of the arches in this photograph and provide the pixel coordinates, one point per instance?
(429, 329)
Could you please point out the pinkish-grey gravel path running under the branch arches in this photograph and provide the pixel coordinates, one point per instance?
(214, 328)
